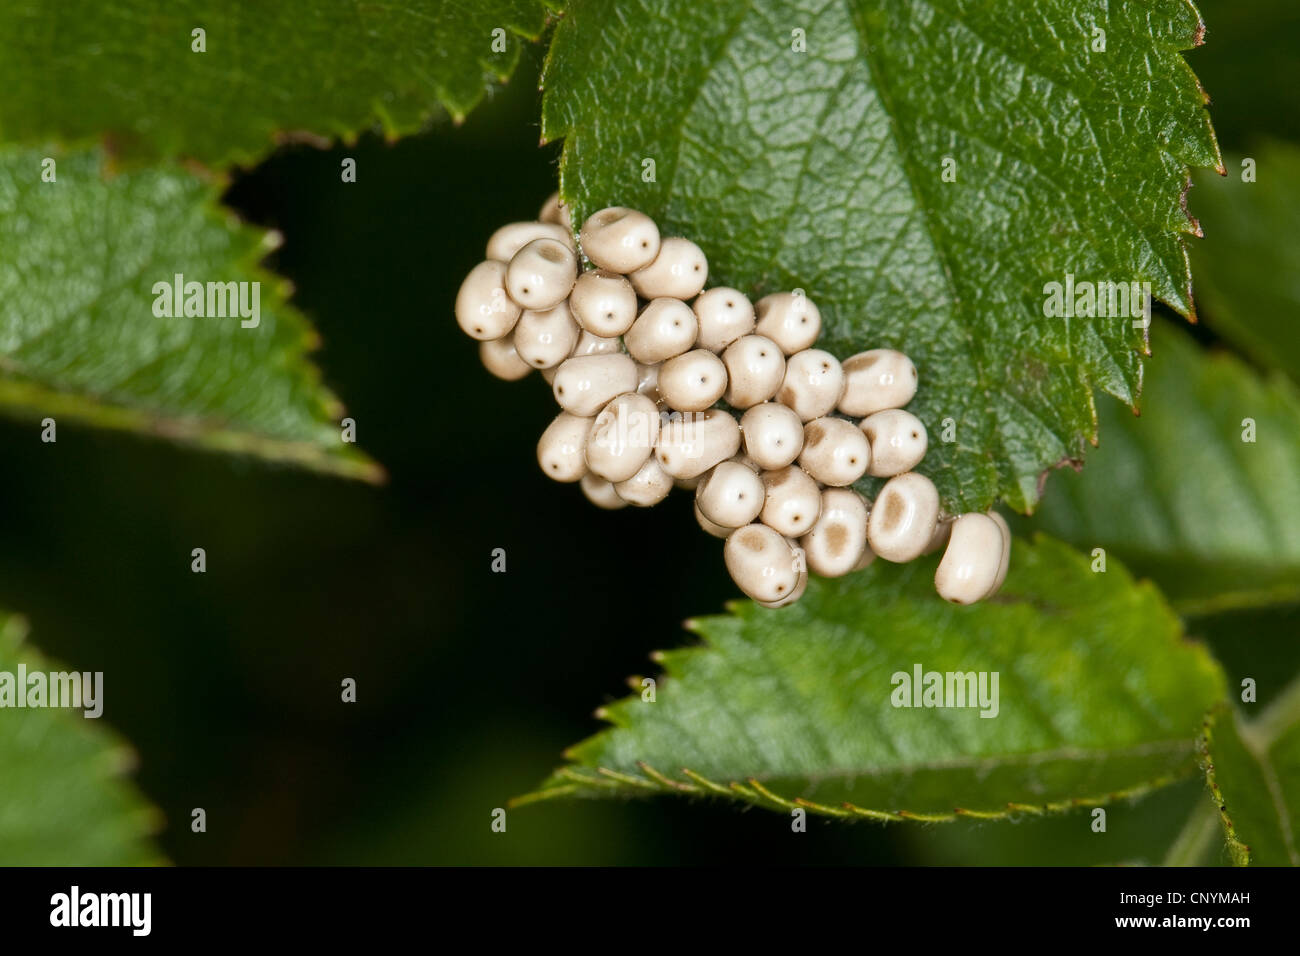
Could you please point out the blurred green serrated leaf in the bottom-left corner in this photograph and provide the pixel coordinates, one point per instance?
(64, 801)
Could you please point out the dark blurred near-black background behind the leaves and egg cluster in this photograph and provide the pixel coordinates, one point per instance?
(470, 684)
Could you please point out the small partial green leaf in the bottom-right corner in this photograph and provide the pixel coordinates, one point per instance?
(1254, 772)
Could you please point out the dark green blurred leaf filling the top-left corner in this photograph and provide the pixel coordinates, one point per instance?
(271, 72)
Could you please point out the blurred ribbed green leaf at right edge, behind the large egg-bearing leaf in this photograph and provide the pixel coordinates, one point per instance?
(1177, 492)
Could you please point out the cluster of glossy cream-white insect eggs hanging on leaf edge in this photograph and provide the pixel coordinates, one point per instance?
(665, 384)
